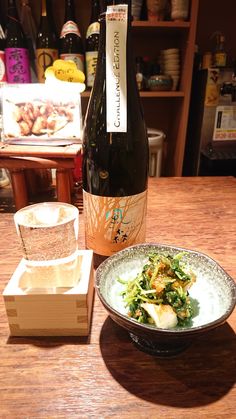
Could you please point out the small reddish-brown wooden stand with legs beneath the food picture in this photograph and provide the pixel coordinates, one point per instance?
(18, 158)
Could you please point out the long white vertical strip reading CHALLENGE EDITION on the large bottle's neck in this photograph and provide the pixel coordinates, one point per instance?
(116, 83)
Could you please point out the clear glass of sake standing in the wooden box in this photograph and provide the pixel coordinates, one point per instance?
(48, 235)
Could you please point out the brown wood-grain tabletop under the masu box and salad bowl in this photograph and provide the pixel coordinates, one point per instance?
(104, 375)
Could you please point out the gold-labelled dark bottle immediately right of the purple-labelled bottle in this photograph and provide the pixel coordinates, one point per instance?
(46, 44)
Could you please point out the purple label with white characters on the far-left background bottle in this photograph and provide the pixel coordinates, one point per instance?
(17, 65)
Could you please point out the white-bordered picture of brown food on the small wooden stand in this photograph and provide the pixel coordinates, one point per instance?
(40, 114)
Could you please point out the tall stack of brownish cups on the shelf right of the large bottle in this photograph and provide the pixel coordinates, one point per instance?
(170, 62)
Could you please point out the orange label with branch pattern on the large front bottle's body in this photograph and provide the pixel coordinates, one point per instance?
(113, 223)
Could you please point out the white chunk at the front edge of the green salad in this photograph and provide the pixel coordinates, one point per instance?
(162, 314)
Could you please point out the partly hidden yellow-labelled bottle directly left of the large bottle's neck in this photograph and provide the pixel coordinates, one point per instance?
(92, 39)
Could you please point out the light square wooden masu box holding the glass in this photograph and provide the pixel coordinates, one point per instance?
(51, 312)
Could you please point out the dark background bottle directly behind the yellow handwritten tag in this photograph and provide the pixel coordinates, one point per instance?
(71, 46)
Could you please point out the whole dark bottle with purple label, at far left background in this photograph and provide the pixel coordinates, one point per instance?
(16, 51)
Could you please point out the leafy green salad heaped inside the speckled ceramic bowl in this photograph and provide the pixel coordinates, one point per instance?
(159, 293)
